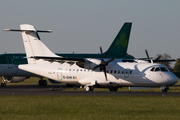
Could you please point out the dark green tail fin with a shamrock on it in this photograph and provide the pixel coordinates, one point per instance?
(120, 44)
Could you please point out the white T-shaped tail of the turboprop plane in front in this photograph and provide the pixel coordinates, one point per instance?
(32, 43)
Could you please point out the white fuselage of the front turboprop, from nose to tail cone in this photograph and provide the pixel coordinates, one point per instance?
(121, 74)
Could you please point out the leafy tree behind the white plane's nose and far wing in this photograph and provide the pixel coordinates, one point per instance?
(165, 57)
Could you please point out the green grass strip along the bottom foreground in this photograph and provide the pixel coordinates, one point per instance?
(89, 107)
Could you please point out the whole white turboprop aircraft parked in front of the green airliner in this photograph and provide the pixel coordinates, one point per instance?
(88, 72)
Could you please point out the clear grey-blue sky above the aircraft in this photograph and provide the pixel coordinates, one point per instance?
(82, 26)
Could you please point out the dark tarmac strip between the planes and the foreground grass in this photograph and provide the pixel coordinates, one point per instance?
(58, 90)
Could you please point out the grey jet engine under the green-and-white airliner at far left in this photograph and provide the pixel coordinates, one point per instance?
(15, 79)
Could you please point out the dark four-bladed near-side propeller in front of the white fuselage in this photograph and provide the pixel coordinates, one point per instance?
(103, 64)
